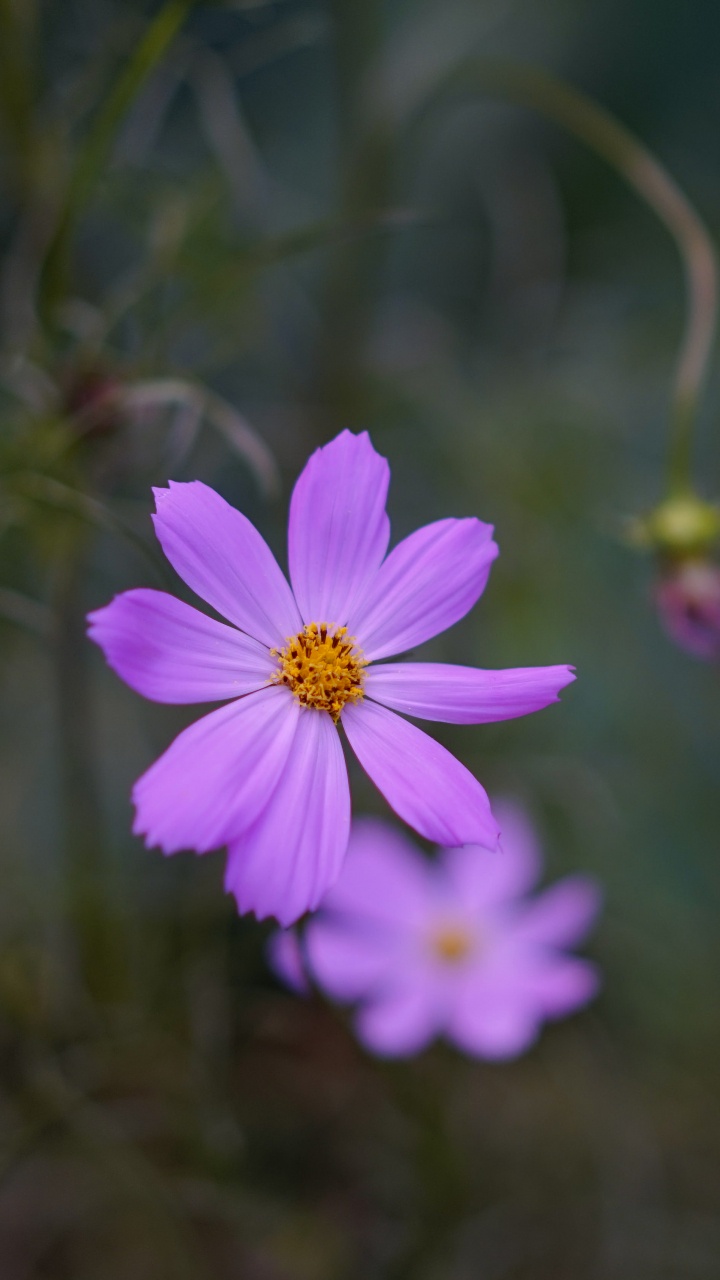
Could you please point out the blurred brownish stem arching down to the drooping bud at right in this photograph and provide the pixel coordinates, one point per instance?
(604, 135)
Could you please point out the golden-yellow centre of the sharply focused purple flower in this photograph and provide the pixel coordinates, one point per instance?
(322, 668)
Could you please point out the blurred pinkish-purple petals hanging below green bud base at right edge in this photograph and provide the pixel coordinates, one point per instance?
(689, 601)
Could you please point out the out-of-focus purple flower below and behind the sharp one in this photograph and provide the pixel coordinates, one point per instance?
(449, 948)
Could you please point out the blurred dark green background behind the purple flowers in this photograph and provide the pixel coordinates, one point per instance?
(230, 231)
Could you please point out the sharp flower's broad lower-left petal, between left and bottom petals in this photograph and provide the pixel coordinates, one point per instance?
(218, 775)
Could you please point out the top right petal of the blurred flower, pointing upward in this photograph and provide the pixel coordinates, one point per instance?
(482, 880)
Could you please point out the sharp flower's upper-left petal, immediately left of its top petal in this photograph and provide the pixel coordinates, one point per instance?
(224, 559)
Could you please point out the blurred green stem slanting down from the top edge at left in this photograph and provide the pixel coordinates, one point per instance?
(98, 145)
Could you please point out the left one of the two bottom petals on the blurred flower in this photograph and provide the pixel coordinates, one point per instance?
(400, 1023)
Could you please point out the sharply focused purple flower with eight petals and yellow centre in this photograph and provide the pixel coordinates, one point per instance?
(265, 774)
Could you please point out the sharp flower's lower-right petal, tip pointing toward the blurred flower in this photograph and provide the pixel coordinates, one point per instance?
(423, 783)
